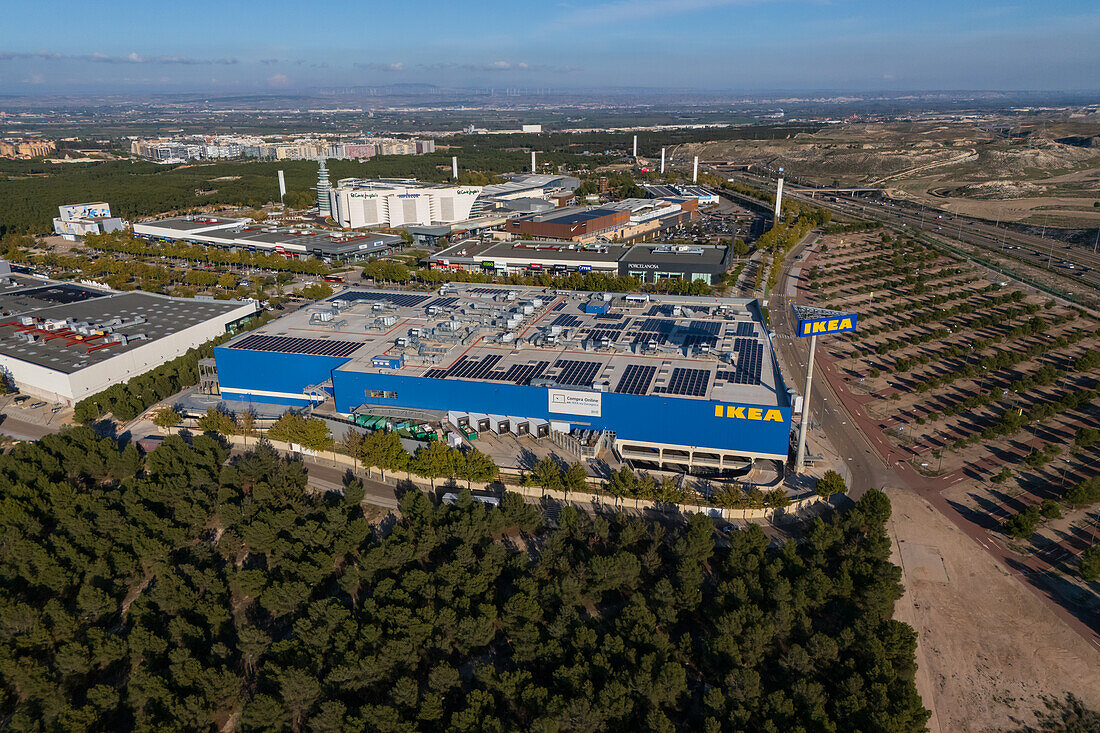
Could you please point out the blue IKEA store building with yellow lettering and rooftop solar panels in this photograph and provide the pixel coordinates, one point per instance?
(673, 406)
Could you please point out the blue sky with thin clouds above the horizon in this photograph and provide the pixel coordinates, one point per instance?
(745, 46)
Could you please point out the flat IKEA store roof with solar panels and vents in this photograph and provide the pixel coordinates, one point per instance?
(701, 348)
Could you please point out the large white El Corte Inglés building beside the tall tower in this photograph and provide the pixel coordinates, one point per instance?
(399, 203)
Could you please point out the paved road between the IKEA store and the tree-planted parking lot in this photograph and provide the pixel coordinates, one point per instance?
(860, 437)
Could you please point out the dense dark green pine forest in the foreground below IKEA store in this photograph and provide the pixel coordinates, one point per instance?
(180, 592)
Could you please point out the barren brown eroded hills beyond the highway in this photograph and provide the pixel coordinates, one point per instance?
(1036, 177)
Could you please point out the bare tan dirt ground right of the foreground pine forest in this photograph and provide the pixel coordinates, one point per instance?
(988, 649)
